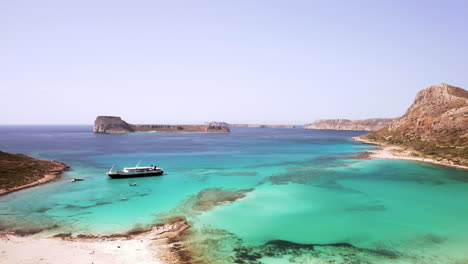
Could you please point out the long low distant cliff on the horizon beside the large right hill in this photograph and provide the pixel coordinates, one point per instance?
(372, 124)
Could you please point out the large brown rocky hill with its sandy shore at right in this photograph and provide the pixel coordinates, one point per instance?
(434, 129)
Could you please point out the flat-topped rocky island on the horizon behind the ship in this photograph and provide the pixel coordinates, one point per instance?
(115, 125)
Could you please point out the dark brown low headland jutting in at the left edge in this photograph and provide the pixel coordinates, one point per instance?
(18, 171)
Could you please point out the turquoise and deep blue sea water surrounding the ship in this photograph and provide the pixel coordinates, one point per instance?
(307, 200)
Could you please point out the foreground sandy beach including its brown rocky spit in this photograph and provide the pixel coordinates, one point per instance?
(153, 246)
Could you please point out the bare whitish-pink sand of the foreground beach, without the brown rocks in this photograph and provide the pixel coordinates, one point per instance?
(16, 250)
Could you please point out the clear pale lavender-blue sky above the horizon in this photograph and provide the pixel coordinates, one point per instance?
(65, 62)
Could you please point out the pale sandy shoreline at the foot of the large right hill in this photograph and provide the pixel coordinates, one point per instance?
(388, 151)
